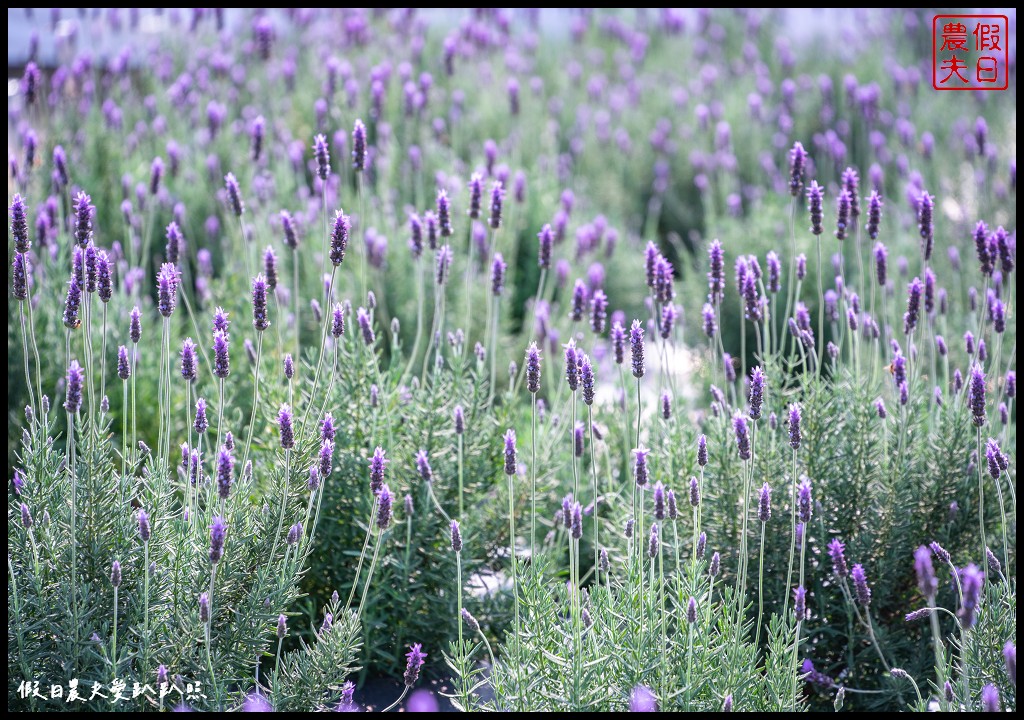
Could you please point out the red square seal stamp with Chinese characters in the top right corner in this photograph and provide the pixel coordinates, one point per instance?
(970, 53)
